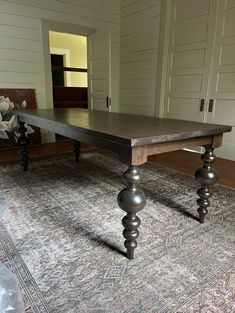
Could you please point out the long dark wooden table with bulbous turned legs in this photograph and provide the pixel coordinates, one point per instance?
(133, 138)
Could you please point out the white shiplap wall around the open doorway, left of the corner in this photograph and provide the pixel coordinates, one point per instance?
(21, 40)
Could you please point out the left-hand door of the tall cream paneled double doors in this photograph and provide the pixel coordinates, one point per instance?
(190, 45)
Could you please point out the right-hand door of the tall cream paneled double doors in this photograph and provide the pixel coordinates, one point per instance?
(222, 89)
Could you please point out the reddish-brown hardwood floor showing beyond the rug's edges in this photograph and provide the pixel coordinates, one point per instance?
(183, 161)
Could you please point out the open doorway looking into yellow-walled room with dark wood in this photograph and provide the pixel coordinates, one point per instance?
(68, 54)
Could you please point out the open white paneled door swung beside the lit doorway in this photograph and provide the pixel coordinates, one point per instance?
(99, 59)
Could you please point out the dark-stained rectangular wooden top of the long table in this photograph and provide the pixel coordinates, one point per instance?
(132, 130)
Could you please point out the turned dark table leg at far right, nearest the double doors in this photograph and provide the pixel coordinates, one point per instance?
(206, 176)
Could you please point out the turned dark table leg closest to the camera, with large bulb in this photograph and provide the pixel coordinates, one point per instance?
(131, 200)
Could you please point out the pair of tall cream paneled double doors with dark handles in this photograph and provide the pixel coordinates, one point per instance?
(201, 65)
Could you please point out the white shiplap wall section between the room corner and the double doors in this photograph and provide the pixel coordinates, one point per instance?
(140, 31)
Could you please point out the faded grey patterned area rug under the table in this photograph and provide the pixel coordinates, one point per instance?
(62, 236)
